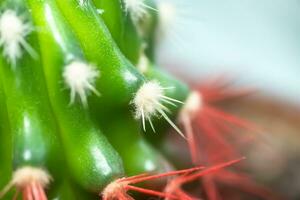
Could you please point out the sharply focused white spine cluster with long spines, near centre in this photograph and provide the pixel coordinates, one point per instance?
(148, 102)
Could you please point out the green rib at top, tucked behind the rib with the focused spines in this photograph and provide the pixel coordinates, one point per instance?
(121, 27)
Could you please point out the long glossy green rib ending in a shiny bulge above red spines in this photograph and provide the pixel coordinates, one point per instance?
(92, 161)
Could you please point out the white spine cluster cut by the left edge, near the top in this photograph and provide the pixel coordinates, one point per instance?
(13, 31)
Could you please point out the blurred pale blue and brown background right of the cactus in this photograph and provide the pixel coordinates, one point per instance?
(257, 44)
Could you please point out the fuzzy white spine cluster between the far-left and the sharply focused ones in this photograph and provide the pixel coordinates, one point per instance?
(80, 78)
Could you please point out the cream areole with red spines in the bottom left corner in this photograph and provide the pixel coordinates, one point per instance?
(31, 181)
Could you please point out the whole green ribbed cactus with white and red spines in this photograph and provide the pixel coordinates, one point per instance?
(80, 97)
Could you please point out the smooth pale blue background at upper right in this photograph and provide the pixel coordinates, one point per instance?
(257, 41)
